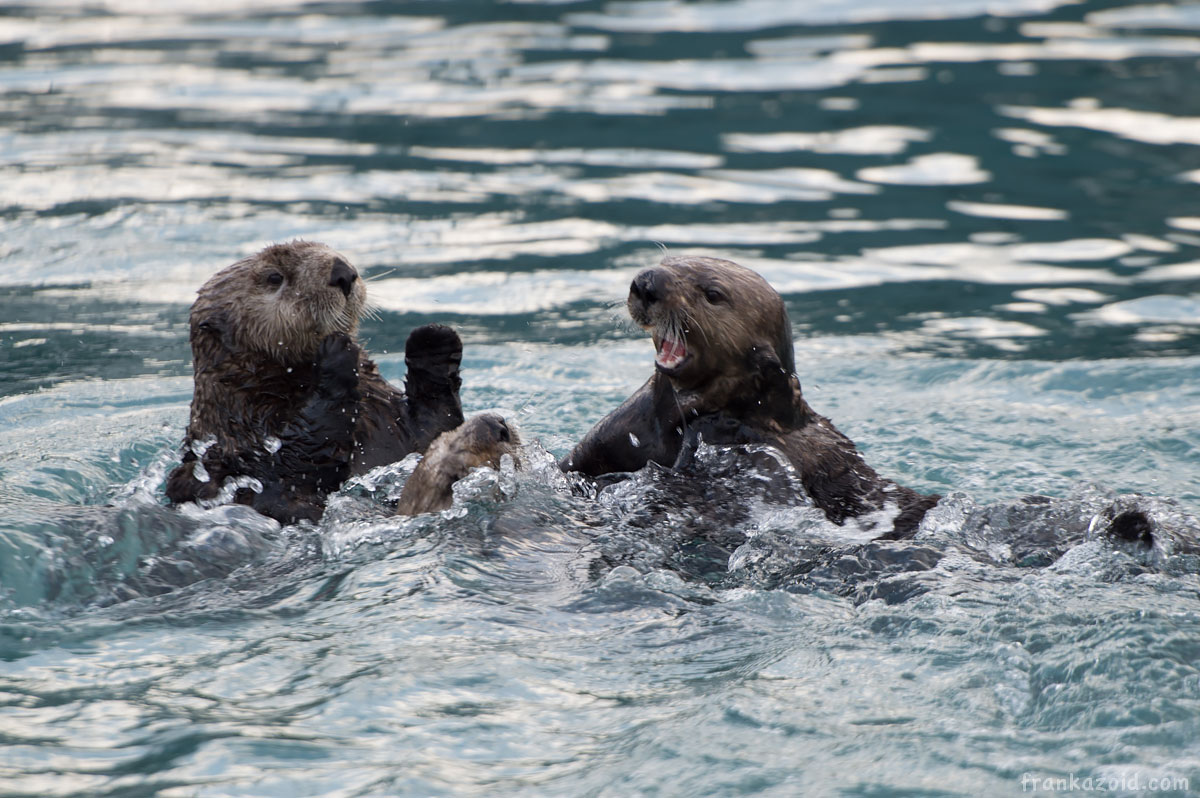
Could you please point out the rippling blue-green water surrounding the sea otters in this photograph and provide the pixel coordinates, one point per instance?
(985, 220)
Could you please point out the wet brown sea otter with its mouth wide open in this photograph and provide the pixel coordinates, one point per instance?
(725, 375)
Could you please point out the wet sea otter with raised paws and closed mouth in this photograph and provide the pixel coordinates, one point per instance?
(285, 395)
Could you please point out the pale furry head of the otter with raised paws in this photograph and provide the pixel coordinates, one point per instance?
(280, 303)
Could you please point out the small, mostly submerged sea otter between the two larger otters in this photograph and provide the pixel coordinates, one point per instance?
(481, 441)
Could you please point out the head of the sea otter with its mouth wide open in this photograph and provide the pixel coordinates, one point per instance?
(707, 319)
